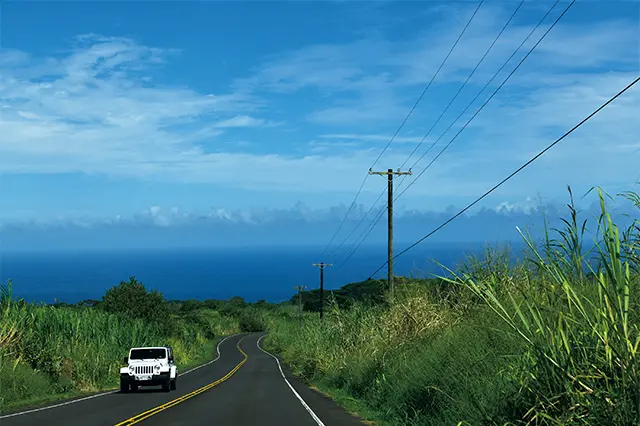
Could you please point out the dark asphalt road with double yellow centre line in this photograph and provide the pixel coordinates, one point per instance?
(243, 386)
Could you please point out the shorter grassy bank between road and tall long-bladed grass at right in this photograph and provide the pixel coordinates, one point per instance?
(414, 361)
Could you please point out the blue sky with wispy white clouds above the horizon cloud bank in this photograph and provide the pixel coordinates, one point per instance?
(116, 111)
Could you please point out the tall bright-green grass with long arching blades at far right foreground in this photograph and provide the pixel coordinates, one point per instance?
(579, 326)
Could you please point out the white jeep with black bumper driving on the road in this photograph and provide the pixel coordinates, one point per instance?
(149, 366)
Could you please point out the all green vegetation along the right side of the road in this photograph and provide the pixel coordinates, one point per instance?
(552, 340)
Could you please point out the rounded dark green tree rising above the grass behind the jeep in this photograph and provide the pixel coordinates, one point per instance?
(132, 299)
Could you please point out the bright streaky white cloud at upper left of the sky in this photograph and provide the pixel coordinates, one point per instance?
(91, 108)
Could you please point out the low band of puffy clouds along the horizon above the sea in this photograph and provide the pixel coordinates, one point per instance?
(301, 216)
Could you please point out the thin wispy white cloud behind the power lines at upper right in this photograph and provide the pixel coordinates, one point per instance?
(377, 80)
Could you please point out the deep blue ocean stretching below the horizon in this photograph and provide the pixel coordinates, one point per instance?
(252, 273)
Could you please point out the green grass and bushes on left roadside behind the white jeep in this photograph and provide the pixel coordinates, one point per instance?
(63, 350)
